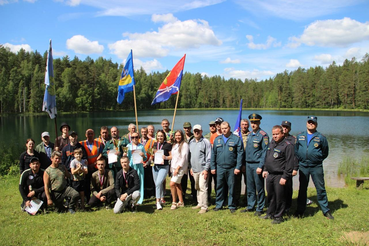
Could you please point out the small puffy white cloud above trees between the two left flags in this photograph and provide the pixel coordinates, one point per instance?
(82, 45)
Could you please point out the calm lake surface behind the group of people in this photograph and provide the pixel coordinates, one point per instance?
(346, 132)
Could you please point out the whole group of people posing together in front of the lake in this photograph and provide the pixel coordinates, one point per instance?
(120, 172)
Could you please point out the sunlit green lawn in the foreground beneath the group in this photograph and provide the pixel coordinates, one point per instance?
(182, 226)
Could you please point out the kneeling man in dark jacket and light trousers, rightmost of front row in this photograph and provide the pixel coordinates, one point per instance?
(127, 187)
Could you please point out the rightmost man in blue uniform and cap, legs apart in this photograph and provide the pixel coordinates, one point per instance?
(311, 149)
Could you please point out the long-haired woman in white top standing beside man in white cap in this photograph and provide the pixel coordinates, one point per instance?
(179, 167)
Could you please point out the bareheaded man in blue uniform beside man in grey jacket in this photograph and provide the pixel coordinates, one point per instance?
(226, 162)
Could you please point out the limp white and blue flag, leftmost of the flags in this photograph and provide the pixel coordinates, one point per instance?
(49, 103)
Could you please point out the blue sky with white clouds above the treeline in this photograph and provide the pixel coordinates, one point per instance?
(254, 39)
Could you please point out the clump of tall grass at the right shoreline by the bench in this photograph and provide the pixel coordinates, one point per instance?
(350, 167)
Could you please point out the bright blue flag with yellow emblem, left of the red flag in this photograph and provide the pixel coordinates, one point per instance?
(127, 80)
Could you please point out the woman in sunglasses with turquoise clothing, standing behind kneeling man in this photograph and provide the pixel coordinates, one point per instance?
(137, 156)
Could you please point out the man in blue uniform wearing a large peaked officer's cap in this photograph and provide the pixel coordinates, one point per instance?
(256, 147)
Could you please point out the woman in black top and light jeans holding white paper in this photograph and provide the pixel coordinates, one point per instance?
(162, 152)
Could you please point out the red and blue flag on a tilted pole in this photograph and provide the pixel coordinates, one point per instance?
(171, 83)
